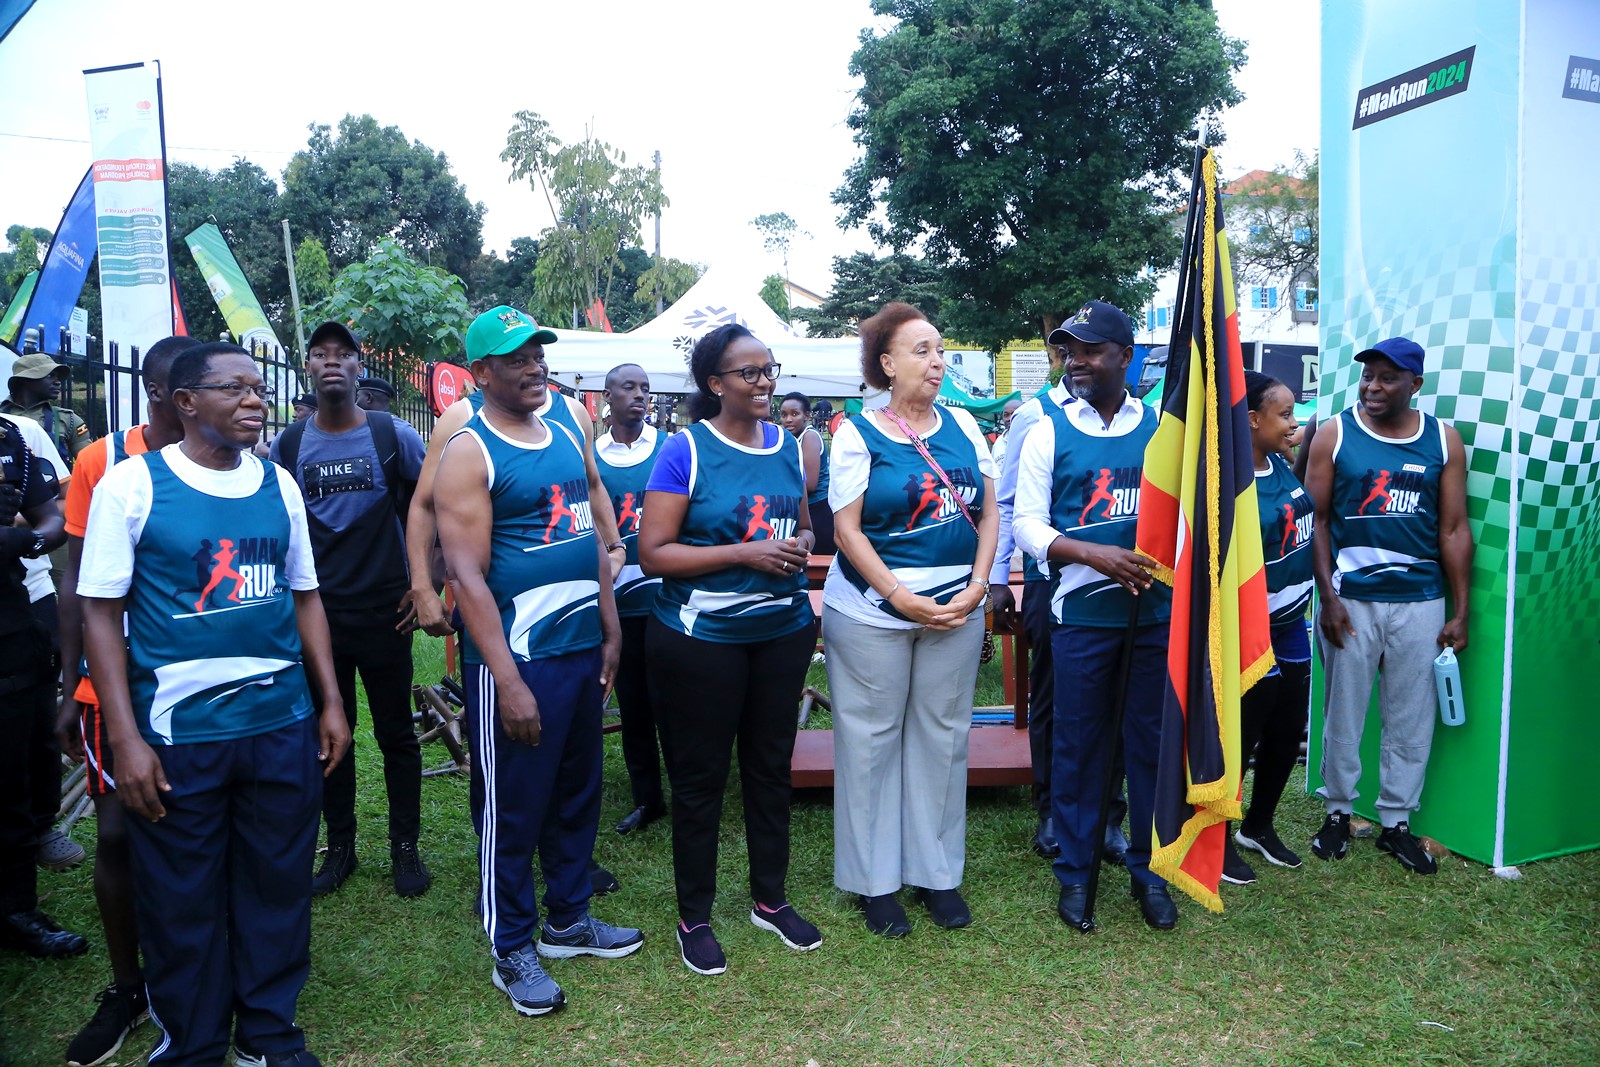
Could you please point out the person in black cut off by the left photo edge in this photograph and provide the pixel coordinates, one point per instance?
(28, 695)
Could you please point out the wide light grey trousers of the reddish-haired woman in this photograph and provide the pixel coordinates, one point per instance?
(903, 711)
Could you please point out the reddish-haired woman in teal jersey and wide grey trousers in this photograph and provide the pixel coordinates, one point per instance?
(903, 613)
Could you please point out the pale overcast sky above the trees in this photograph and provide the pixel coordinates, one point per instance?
(745, 100)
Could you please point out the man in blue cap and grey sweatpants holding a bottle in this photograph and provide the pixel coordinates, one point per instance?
(1391, 492)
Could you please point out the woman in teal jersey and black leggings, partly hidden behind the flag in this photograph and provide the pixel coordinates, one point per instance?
(1273, 713)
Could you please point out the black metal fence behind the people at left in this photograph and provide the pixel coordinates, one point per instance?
(110, 394)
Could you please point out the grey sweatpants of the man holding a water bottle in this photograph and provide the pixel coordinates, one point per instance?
(1398, 642)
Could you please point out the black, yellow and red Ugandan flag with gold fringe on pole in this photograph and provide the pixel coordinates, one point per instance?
(1198, 521)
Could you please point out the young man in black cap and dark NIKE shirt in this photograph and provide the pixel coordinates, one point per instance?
(358, 471)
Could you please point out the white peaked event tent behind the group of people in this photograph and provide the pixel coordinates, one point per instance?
(818, 367)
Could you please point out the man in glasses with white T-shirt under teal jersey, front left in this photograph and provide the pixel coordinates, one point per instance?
(218, 754)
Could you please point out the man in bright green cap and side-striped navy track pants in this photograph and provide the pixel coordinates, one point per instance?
(534, 583)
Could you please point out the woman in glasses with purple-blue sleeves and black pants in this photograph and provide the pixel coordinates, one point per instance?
(727, 530)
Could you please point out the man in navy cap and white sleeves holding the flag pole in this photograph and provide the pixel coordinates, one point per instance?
(1078, 505)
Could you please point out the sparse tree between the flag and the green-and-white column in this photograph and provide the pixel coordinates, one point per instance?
(1276, 217)
